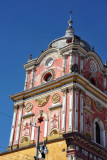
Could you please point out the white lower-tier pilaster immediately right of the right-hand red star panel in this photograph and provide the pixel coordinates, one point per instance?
(63, 110)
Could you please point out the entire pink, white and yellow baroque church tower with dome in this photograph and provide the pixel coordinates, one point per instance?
(65, 93)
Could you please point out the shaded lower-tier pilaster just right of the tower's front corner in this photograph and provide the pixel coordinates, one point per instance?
(76, 110)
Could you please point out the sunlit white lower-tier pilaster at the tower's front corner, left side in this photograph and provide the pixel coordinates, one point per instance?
(70, 122)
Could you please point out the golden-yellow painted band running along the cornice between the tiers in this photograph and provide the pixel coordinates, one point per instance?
(65, 80)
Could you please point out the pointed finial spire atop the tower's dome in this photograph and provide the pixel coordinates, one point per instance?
(70, 31)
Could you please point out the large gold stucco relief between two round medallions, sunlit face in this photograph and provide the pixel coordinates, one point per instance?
(40, 102)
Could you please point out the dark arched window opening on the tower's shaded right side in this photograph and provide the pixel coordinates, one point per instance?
(99, 132)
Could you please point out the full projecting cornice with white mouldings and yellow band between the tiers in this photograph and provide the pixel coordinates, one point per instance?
(73, 79)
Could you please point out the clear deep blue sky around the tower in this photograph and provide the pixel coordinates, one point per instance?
(27, 27)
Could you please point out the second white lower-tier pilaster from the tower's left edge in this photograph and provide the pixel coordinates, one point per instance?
(19, 124)
